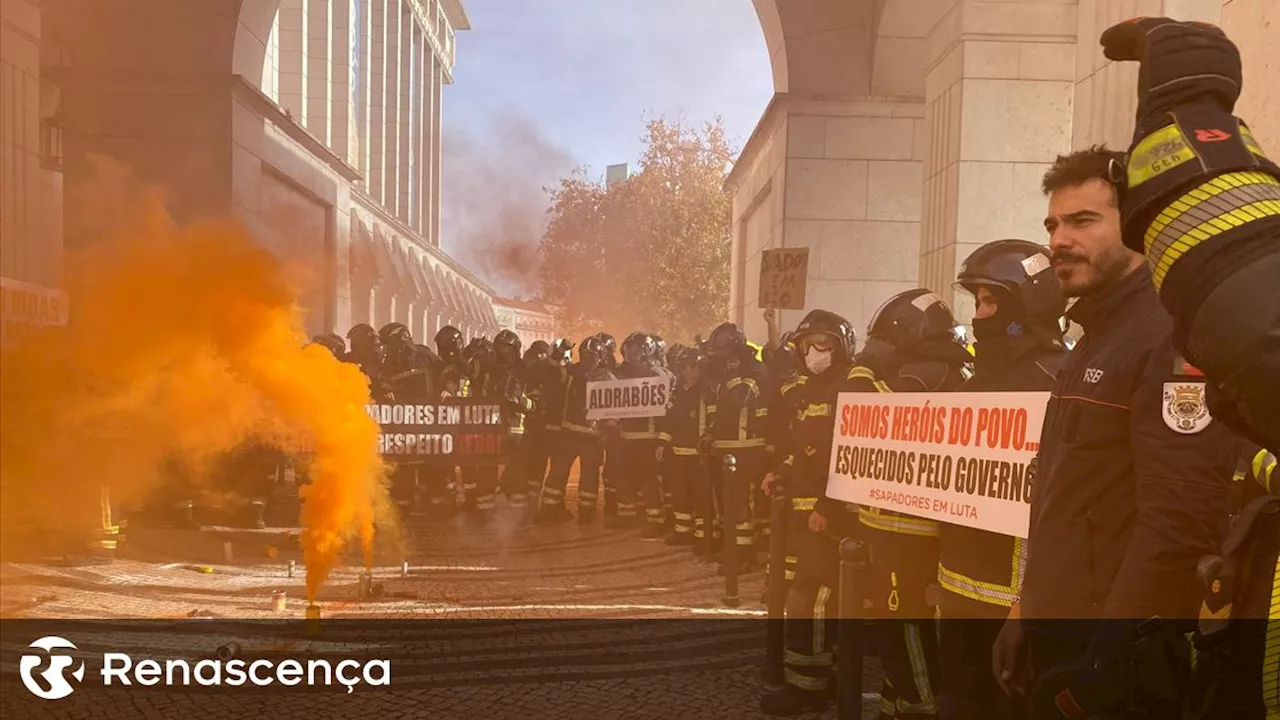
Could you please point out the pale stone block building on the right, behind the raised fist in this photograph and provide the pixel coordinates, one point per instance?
(906, 134)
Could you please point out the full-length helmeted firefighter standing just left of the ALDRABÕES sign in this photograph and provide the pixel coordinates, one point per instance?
(580, 439)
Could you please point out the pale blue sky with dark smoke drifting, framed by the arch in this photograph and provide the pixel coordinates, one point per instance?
(545, 86)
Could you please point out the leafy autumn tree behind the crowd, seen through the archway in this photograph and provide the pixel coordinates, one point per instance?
(651, 253)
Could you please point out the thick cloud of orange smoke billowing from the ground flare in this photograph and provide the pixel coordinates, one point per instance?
(182, 344)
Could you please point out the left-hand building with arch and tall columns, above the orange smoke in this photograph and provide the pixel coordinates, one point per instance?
(314, 122)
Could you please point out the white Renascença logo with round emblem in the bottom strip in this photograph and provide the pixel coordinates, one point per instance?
(120, 668)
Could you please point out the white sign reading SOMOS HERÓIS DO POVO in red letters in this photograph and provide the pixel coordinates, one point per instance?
(961, 458)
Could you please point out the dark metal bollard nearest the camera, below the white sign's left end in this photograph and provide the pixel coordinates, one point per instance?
(854, 571)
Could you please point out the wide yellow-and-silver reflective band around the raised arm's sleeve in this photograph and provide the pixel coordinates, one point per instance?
(1222, 204)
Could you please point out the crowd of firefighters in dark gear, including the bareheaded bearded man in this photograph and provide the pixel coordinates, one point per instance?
(1133, 495)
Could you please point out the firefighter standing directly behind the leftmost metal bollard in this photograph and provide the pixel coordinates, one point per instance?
(738, 382)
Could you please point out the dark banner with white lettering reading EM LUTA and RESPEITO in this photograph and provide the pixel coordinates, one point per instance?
(459, 431)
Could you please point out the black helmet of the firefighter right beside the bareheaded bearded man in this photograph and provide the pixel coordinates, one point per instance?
(1023, 271)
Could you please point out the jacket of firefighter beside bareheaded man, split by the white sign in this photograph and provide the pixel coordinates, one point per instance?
(980, 572)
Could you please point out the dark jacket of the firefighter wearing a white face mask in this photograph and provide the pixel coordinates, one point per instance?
(807, 463)
